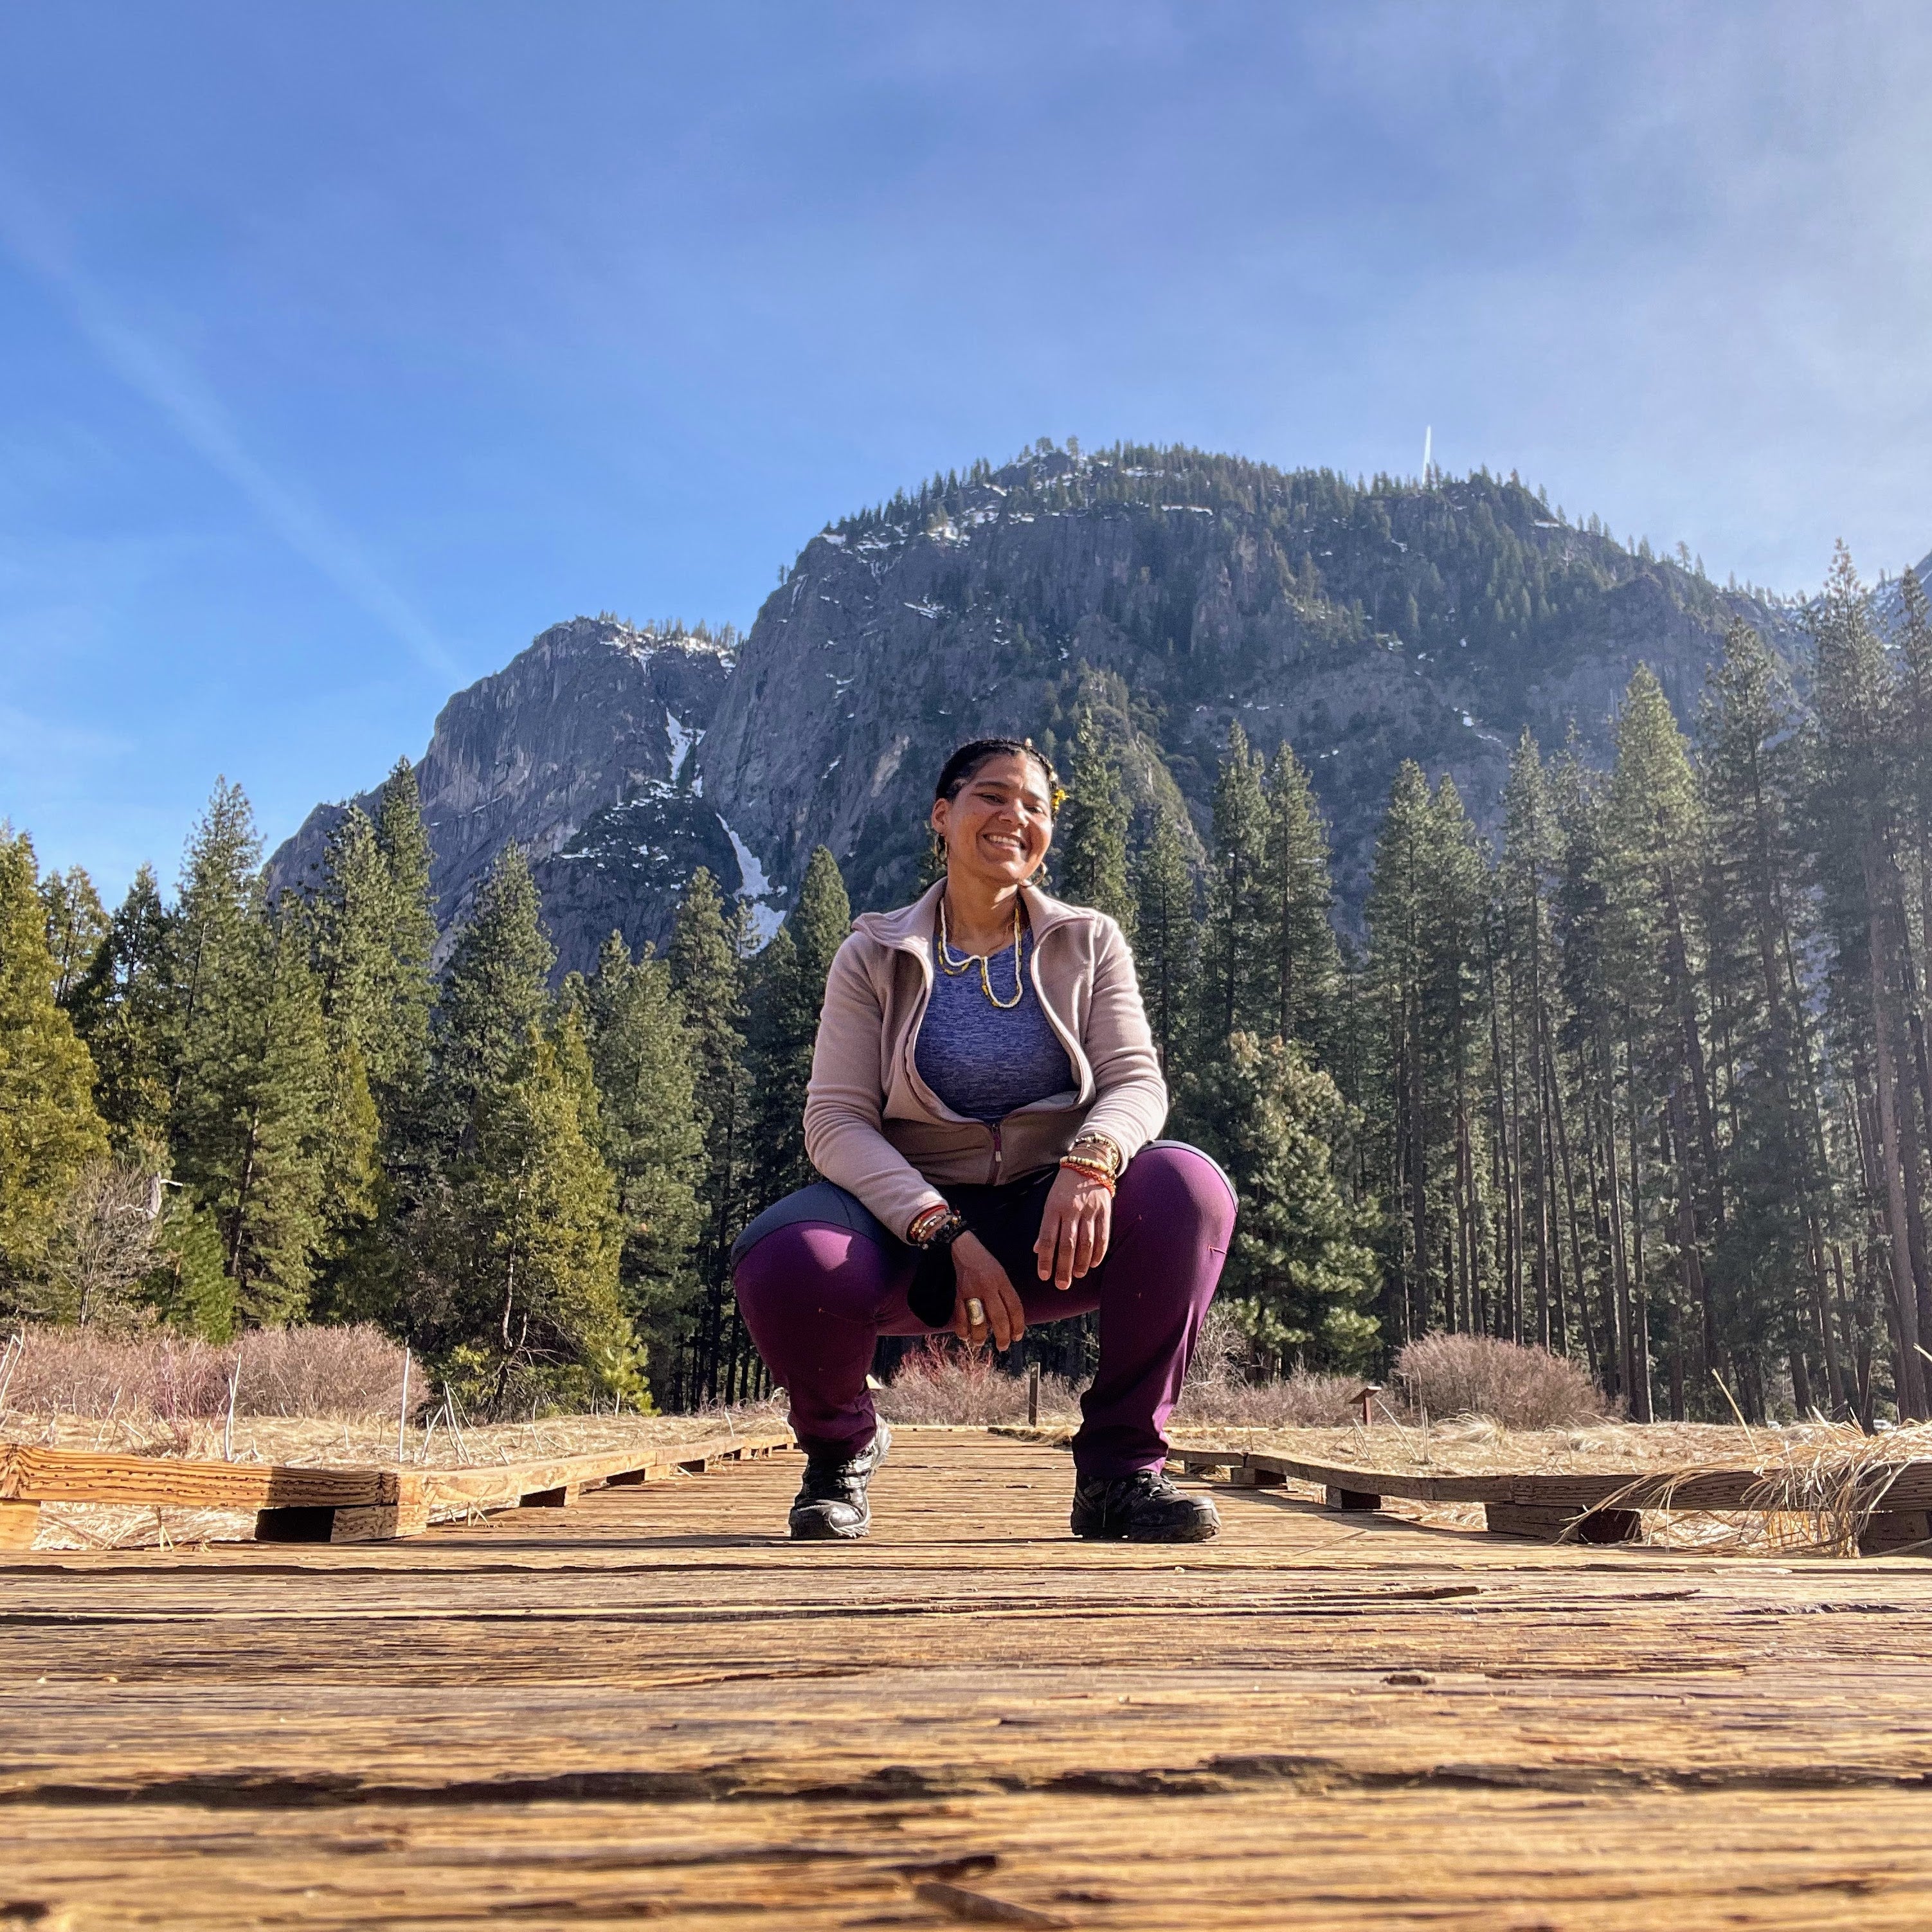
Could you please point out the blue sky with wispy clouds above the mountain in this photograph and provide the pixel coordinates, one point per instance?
(345, 347)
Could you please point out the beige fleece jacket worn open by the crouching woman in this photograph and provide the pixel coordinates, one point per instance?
(878, 1129)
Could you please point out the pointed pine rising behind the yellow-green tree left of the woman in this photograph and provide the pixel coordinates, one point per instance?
(494, 996)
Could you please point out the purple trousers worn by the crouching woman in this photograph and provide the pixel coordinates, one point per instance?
(820, 1282)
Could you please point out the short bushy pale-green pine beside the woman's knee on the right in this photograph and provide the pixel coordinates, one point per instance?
(1299, 1270)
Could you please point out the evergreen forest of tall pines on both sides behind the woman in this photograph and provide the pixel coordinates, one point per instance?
(1643, 1081)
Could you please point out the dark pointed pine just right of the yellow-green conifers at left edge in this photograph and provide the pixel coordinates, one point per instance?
(128, 1009)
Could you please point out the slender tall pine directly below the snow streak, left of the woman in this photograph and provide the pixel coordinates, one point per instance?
(706, 971)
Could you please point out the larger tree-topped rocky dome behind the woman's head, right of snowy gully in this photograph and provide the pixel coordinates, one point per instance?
(1183, 594)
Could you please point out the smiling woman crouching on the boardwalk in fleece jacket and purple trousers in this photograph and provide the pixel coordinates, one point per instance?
(984, 1102)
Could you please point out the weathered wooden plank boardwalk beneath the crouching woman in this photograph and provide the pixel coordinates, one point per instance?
(650, 1707)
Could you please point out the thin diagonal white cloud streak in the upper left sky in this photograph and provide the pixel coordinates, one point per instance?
(206, 426)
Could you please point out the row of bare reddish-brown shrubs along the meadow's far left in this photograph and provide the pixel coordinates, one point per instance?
(327, 1373)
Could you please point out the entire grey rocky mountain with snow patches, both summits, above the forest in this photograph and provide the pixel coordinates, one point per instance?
(1170, 590)
